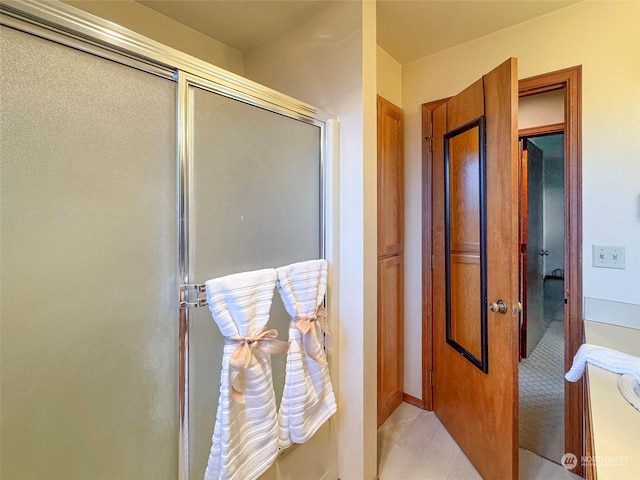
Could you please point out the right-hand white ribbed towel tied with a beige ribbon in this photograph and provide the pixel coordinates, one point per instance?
(308, 399)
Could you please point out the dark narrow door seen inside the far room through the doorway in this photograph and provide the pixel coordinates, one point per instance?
(531, 248)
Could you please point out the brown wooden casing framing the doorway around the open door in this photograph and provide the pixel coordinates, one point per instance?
(571, 80)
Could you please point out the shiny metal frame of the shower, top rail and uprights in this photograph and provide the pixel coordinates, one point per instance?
(69, 26)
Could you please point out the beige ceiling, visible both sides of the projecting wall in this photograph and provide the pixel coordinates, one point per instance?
(407, 29)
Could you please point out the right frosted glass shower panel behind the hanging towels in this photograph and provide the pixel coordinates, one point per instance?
(255, 204)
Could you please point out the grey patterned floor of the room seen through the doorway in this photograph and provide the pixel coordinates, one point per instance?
(542, 387)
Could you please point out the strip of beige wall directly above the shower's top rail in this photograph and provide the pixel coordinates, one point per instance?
(147, 22)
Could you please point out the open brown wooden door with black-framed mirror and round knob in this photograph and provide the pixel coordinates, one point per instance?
(475, 247)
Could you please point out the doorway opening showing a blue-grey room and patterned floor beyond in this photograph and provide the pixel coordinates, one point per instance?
(541, 369)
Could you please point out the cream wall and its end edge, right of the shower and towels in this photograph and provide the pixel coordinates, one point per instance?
(328, 60)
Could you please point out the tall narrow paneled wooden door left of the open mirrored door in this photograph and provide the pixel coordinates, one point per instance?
(390, 258)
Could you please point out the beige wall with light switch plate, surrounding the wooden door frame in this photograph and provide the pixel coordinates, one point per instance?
(601, 36)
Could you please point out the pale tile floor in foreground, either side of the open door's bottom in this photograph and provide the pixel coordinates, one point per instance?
(413, 445)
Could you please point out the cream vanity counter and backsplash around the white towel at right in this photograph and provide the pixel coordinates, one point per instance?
(615, 423)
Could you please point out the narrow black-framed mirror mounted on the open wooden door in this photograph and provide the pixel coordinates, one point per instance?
(465, 254)
